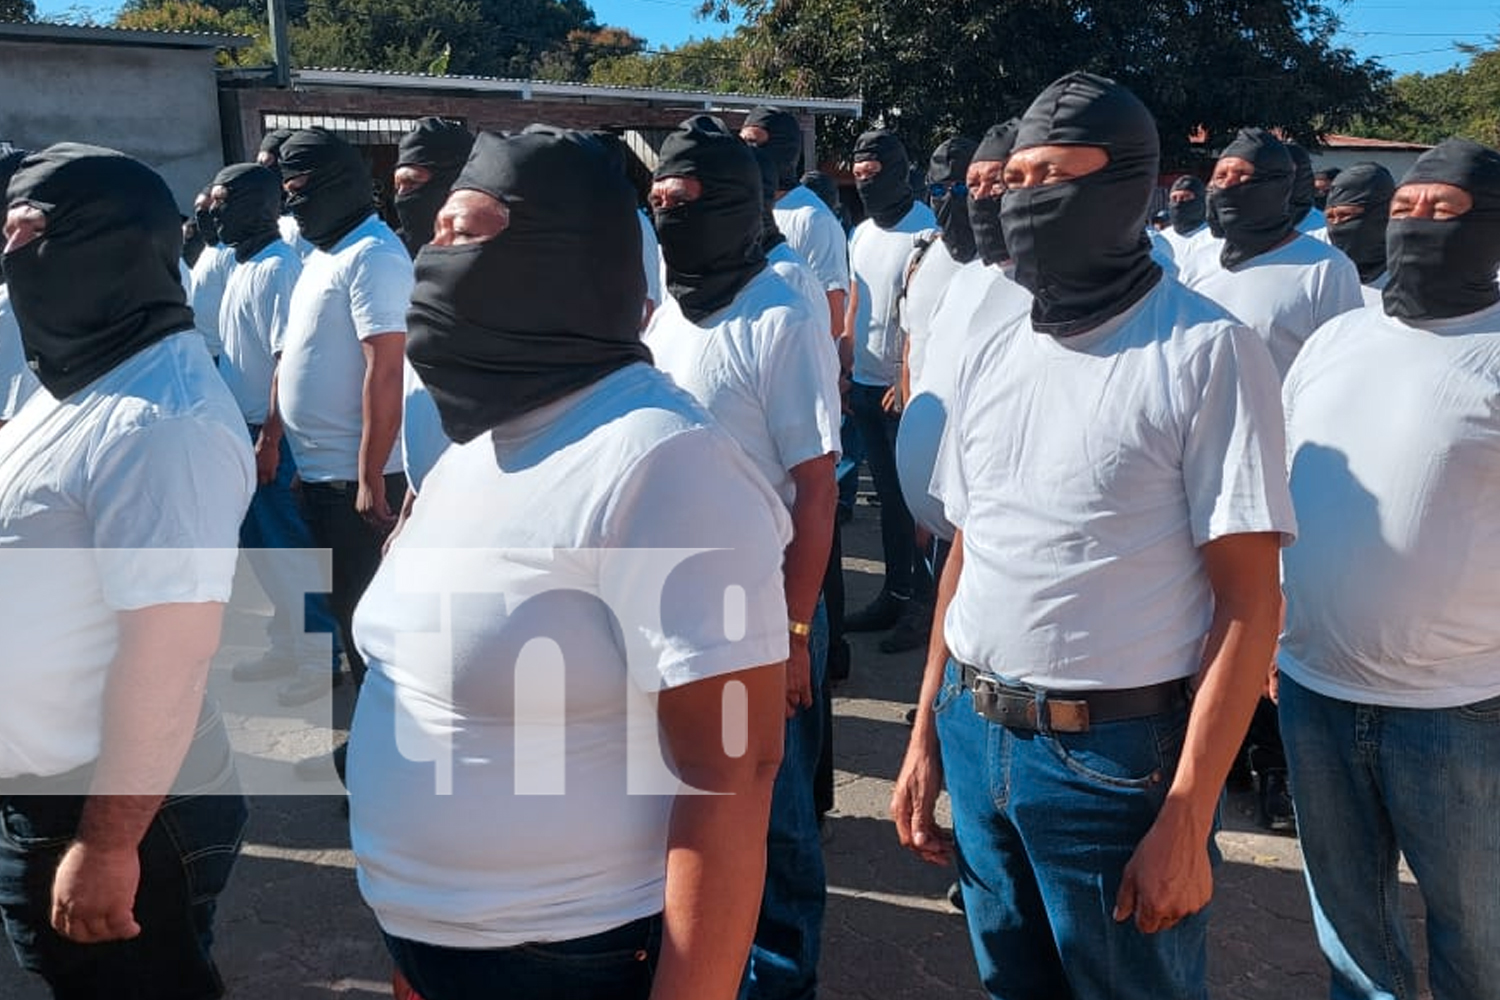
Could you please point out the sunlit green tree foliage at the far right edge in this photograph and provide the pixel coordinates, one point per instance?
(1433, 107)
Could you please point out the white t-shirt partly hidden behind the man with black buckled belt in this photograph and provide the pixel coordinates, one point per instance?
(979, 299)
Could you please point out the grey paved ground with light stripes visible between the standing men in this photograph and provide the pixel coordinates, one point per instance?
(293, 926)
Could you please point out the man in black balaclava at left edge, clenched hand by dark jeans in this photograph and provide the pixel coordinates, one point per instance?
(134, 458)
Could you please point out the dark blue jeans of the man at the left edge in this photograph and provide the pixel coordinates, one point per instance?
(187, 857)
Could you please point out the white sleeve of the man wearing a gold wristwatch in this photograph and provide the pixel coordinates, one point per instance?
(800, 391)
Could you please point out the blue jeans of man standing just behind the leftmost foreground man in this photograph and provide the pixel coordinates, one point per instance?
(274, 525)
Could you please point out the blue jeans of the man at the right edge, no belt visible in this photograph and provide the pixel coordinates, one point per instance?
(1372, 783)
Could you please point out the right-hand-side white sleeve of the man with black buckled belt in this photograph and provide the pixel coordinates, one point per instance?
(1234, 458)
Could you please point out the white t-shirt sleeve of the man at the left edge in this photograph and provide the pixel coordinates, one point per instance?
(166, 501)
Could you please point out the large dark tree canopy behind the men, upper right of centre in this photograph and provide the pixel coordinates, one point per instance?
(928, 70)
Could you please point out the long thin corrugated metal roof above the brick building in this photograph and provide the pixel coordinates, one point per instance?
(539, 89)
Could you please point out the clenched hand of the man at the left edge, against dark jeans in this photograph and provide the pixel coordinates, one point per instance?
(94, 894)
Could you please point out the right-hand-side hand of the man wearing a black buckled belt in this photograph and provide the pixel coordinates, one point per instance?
(1169, 876)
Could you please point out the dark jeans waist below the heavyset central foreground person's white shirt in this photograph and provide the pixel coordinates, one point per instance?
(613, 966)
